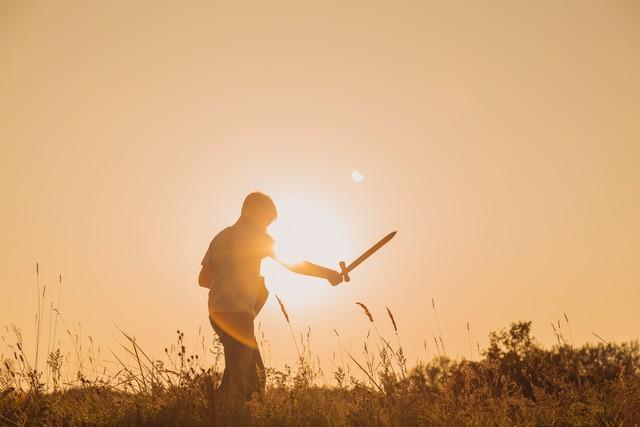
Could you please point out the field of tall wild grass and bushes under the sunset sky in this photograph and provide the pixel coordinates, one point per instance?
(517, 382)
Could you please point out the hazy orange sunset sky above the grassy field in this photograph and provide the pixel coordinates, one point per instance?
(500, 138)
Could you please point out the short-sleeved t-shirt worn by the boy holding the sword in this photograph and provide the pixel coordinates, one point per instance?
(234, 258)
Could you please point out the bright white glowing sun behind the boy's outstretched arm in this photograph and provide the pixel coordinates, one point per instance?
(311, 230)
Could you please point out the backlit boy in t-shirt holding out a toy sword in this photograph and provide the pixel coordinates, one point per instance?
(231, 270)
